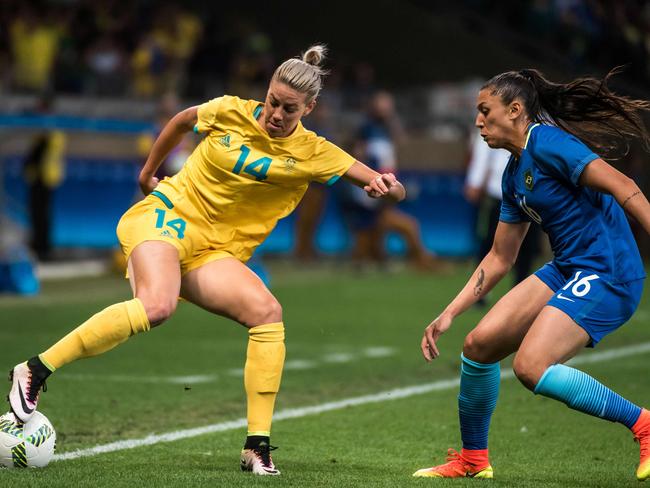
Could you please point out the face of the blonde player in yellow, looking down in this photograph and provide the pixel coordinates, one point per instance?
(283, 108)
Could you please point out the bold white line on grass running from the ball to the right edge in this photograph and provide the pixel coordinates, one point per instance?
(293, 413)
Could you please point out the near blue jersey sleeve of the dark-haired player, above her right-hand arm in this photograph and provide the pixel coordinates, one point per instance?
(559, 153)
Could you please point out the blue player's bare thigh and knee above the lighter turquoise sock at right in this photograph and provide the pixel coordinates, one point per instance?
(553, 338)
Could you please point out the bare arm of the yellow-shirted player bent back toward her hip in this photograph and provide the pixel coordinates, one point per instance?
(171, 135)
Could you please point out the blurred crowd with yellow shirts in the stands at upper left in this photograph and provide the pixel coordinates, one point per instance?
(138, 49)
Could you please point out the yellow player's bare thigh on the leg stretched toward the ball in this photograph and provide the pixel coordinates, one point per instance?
(155, 277)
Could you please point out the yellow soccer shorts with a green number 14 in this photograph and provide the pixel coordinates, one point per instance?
(156, 218)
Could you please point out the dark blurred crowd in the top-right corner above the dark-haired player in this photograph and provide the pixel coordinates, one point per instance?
(586, 33)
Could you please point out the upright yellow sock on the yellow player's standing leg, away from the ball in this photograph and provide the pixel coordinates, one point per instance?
(262, 374)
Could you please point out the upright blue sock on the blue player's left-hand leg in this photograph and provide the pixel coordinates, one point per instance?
(479, 389)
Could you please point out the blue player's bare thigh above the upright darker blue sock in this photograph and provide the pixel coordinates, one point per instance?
(502, 330)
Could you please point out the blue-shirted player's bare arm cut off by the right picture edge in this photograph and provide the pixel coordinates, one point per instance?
(603, 177)
